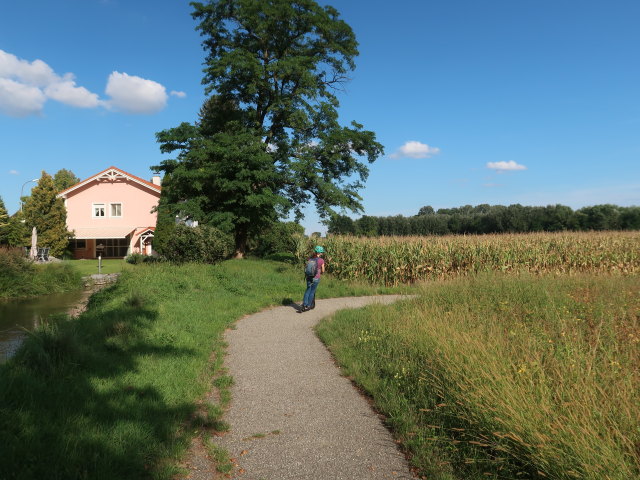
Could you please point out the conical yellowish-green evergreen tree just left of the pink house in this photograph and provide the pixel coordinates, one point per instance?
(49, 215)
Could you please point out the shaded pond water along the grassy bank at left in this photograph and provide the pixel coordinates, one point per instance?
(28, 313)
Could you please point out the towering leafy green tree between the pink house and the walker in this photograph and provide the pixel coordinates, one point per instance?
(268, 141)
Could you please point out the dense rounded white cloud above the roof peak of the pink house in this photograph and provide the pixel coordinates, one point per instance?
(133, 94)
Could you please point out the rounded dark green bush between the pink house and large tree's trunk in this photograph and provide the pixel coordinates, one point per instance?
(202, 244)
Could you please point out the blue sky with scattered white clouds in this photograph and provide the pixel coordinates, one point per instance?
(498, 102)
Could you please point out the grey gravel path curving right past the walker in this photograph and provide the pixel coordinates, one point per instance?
(292, 415)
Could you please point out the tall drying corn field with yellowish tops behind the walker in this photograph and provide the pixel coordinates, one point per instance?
(400, 260)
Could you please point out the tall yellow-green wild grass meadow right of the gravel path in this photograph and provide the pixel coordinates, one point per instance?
(505, 377)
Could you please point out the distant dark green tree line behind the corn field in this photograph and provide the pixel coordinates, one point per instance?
(491, 219)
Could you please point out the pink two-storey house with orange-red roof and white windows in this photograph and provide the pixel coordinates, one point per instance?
(111, 215)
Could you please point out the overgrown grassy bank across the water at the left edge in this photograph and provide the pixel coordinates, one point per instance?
(19, 277)
